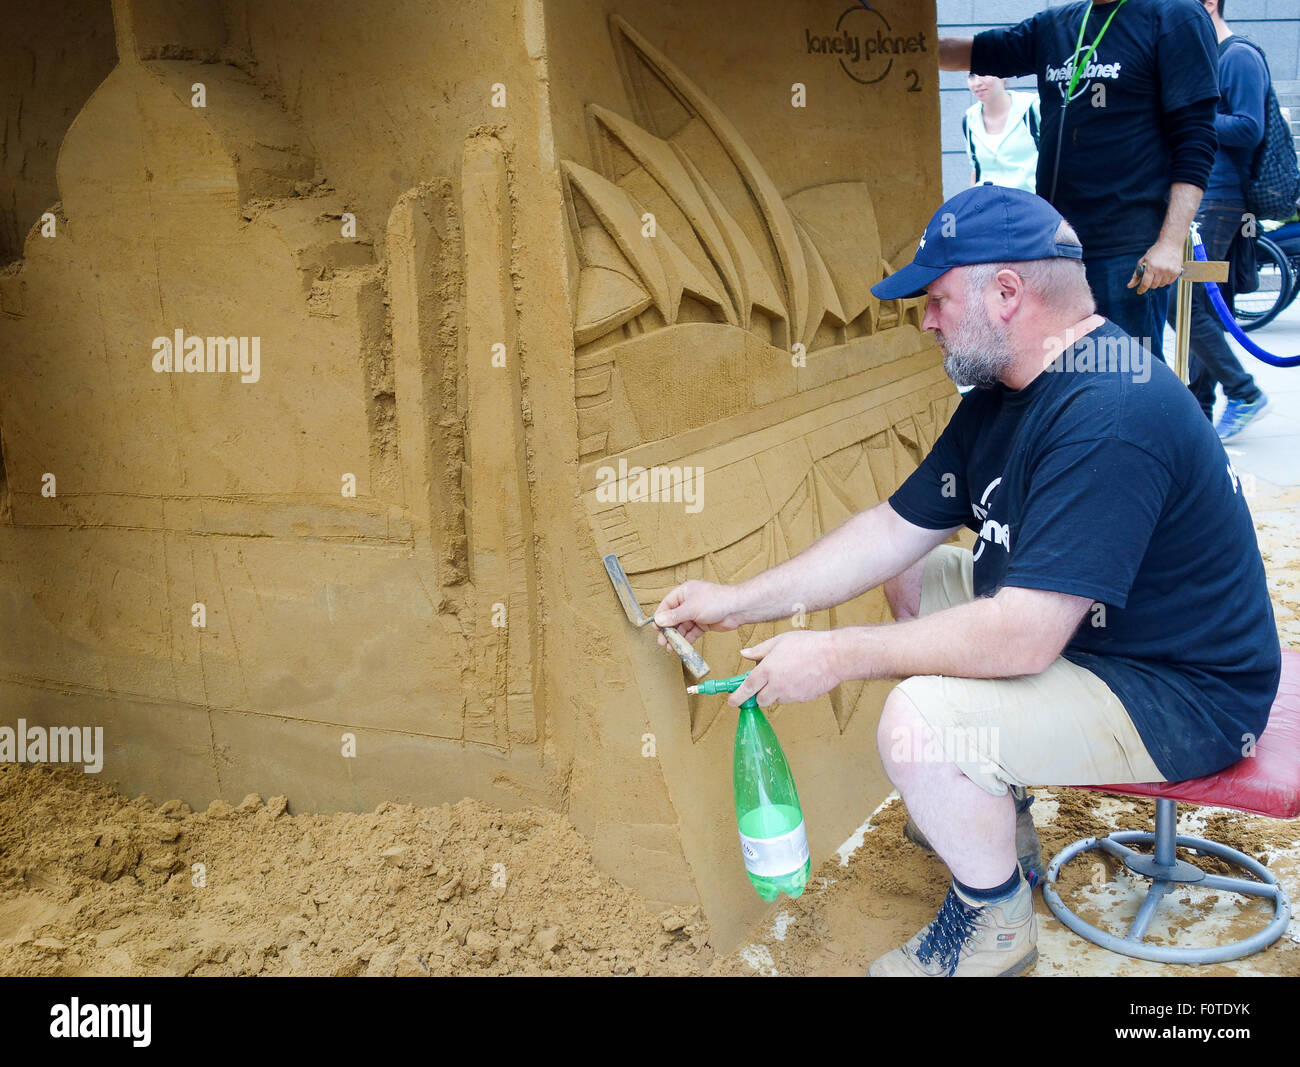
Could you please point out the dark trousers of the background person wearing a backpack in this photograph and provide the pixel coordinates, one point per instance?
(1210, 359)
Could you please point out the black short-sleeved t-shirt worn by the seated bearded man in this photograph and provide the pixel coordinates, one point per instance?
(1107, 482)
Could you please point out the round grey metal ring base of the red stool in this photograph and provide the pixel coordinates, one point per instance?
(1167, 873)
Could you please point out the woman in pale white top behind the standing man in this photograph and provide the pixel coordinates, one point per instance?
(1002, 133)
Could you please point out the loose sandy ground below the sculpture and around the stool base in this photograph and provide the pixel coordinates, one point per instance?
(93, 883)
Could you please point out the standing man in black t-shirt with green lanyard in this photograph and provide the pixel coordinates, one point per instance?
(1126, 146)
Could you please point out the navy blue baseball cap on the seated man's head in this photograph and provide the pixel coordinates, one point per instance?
(985, 224)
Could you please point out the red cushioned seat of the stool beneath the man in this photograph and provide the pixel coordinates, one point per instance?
(1267, 783)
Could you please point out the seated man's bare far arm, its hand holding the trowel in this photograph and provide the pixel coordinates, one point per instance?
(857, 556)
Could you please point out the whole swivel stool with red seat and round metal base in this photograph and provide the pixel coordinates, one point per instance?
(1266, 783)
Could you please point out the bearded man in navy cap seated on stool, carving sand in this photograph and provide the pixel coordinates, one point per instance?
(1112, 623)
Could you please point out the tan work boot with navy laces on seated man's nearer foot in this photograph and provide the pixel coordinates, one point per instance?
(969, 939)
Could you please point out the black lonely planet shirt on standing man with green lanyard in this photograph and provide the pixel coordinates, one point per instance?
(1158, 57)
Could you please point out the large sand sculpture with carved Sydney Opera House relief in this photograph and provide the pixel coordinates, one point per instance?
(339, 368)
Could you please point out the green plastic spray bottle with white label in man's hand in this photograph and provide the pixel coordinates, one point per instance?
(773, 840)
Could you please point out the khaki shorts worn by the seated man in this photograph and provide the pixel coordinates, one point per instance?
(1063, 727)
